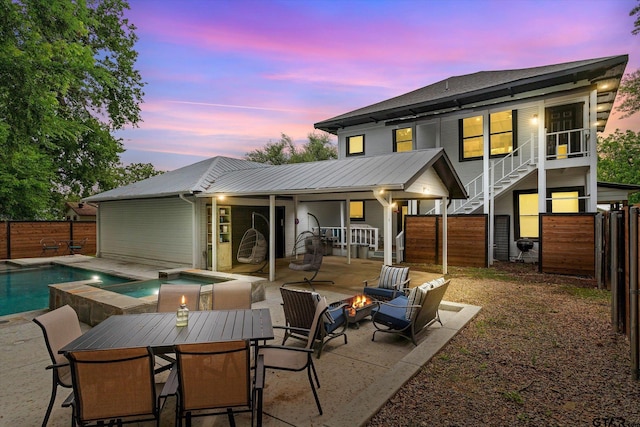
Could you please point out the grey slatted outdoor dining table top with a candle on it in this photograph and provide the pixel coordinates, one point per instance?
(159, 330)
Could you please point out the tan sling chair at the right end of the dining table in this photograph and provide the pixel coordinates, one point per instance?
(297, 358)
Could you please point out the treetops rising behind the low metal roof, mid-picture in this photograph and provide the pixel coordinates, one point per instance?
(319, 147)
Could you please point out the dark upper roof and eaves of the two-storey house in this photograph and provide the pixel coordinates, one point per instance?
(456, 92)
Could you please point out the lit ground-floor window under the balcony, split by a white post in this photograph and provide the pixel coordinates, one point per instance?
(565, 200)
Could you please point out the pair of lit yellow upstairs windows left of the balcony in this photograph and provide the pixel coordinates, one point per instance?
(501, 135)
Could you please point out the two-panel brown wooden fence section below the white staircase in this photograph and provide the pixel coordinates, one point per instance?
(467, 240)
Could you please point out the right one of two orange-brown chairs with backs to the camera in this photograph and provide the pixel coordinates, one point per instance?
(215, 379)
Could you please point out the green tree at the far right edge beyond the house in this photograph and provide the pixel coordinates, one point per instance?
(619, 159)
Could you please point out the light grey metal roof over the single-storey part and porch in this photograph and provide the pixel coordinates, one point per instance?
(234, 177)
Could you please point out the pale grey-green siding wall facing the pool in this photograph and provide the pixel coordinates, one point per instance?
(157, 230)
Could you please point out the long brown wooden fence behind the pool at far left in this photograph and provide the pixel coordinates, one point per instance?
(22, 239)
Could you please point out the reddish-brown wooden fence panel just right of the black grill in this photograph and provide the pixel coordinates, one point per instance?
(568, 244)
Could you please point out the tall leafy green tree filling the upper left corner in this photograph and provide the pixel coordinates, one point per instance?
(67, 81)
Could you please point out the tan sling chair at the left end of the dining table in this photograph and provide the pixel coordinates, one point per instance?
(60, 327)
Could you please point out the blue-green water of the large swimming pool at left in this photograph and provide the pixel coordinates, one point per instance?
(26, 289)
